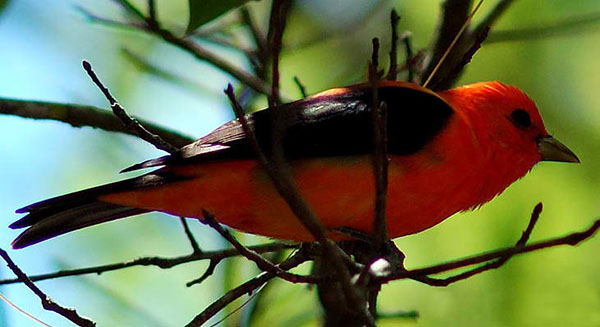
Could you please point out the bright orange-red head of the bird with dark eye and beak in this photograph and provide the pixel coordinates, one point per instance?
(507, 117)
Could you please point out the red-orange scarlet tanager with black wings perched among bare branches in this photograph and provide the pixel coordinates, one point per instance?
(449, 151)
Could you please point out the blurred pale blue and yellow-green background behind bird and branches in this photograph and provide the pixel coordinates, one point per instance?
(327, 44)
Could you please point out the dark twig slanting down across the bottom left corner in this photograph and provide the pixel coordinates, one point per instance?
(47, 302)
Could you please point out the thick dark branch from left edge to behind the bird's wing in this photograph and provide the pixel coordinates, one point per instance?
(79, 116)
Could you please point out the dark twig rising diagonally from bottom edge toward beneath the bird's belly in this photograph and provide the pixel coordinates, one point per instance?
(245, 288)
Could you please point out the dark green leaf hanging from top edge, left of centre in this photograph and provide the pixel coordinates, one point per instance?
(203, 11)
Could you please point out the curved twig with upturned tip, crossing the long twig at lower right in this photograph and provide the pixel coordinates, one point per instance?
(535, 215)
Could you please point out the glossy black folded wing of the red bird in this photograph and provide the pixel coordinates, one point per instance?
(334, 123)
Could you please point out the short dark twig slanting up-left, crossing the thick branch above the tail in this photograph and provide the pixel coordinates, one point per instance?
(127, 120)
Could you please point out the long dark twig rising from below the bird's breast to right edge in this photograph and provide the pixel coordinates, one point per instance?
(570, 239)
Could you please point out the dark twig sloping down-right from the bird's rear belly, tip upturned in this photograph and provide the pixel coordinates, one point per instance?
(262, 263)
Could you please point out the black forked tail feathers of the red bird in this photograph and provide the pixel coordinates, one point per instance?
(63, 214)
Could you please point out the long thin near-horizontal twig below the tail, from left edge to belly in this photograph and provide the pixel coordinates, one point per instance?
(160, 262)
